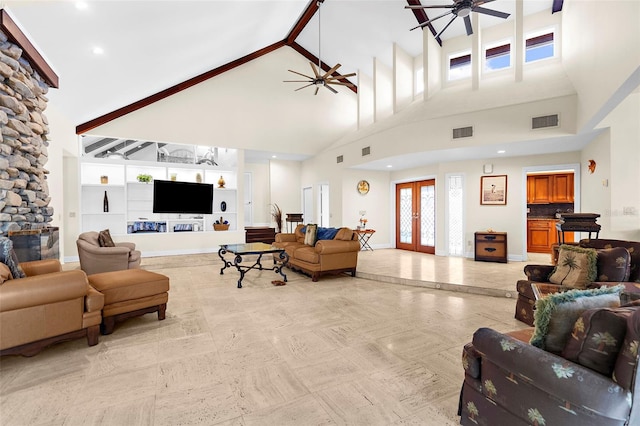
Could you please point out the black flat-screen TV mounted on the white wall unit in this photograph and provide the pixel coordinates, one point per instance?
(182, 197)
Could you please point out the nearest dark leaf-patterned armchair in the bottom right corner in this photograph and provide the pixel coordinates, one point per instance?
(510, 382)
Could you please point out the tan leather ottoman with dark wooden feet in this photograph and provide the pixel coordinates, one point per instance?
(130, 293)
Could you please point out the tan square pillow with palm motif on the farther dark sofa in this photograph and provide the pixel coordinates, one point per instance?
(576, 267)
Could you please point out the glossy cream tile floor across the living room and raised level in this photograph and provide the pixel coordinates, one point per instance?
(343, 351)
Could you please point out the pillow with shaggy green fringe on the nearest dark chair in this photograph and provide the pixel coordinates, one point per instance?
(556, 314)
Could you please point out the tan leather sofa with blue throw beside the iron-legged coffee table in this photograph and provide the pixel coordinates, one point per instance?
(327, 256)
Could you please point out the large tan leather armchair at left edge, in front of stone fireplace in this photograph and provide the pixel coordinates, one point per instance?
(47, 306)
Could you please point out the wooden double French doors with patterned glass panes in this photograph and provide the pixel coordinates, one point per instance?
(415, 216)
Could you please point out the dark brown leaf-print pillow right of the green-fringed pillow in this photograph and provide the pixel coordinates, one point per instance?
(597, 337)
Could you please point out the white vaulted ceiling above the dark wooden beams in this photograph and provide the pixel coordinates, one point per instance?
(152, 45)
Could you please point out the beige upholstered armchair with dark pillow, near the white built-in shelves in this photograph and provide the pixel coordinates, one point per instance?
(95, 259)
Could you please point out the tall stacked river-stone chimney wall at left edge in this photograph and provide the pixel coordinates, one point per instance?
(24, 193)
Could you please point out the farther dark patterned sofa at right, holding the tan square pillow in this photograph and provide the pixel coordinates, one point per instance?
(525, 304)
